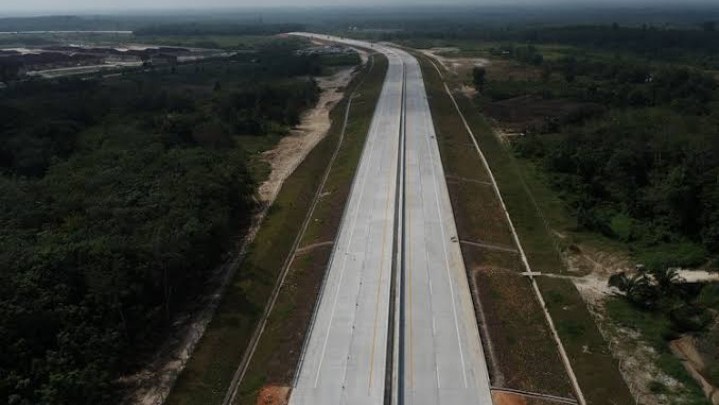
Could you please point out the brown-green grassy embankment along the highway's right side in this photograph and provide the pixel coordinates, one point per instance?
(596, 370)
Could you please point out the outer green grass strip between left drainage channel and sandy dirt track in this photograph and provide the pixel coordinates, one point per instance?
(207, 375)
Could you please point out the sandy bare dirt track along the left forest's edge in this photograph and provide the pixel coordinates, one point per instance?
(153, 384)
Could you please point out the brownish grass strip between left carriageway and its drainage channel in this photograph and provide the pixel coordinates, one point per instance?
(279, 350)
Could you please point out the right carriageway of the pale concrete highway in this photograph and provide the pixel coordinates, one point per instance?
(443, 358)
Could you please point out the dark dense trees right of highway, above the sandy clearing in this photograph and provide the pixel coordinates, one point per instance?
(641, 163)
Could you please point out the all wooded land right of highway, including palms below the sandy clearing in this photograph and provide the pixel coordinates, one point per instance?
(621, 151)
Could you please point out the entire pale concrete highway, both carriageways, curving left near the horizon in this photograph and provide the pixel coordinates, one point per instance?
(398, 193)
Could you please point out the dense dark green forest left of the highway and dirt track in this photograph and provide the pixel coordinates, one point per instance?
(118, 198)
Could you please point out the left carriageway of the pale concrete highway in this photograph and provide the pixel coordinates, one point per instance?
(345, 358)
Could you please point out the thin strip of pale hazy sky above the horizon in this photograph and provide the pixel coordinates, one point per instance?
(73, 6)
